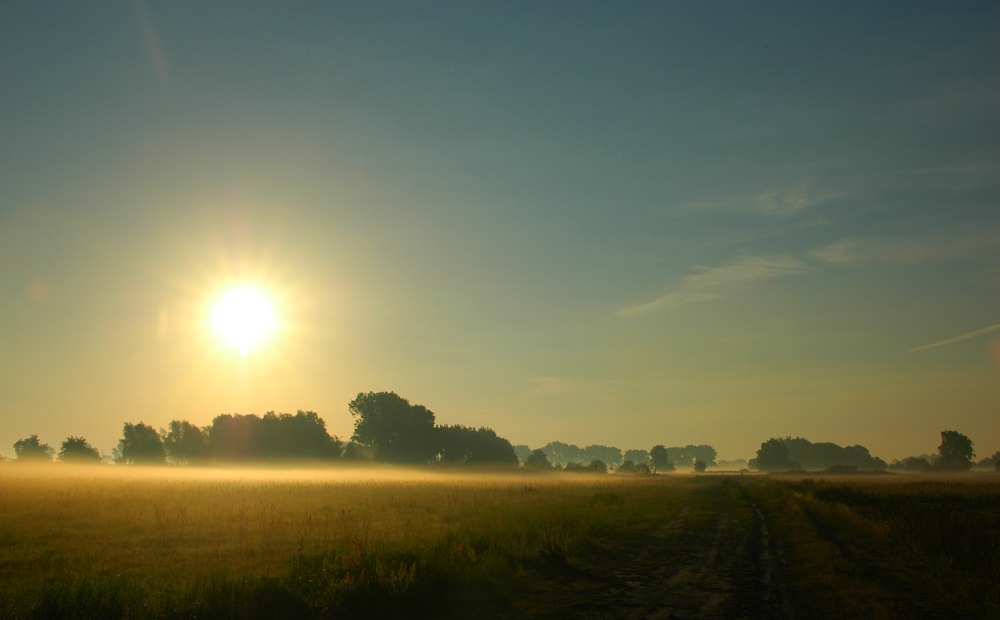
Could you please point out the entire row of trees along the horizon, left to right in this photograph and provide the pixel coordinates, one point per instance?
(387, 428)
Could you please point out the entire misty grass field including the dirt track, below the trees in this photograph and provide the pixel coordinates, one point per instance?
(115, 542)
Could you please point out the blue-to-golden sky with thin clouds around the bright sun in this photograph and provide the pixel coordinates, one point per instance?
(621, 223)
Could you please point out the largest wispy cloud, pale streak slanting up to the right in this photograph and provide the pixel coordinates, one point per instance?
(715, 282)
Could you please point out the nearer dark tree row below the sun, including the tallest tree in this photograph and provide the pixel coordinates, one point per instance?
(387, 429)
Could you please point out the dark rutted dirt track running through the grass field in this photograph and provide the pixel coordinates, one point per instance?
(713, 559)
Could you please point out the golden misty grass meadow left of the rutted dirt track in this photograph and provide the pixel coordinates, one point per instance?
(167, 547)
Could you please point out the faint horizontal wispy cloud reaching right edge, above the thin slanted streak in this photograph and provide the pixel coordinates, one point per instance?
(907, 251)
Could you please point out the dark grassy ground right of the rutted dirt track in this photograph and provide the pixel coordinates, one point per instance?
(889, 546)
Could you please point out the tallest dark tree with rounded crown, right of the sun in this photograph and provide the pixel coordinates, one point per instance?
(399, 432)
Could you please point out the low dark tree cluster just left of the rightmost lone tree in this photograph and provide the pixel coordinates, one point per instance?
(790, 453)
